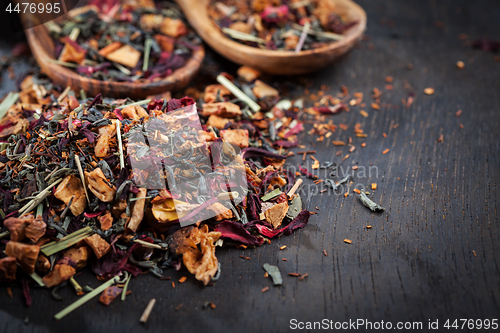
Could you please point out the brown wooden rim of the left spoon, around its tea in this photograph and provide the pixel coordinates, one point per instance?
(42, 47)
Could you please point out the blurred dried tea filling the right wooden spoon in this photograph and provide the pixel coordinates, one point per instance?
(281, 25)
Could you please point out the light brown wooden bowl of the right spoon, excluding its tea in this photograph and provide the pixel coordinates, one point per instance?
(274, 62)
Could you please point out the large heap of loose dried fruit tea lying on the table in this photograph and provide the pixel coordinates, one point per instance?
(140, 186)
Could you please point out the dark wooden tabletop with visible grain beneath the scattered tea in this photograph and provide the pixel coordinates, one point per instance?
(434, 253)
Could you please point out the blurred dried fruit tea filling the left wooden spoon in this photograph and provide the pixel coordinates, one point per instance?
(127, 42)
